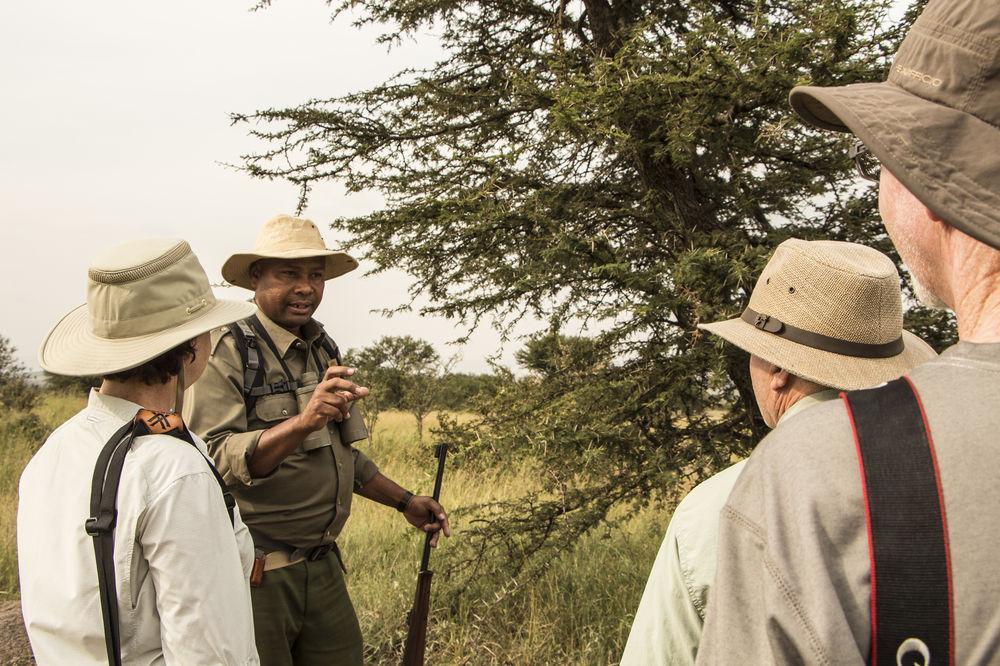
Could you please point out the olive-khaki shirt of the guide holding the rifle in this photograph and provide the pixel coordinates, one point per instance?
(306, 500)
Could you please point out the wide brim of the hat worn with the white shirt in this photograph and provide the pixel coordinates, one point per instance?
(70, 348)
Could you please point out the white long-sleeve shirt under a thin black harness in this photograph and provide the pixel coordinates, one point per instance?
(181, 568)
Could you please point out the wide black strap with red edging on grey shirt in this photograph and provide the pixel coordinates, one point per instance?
(911, 586)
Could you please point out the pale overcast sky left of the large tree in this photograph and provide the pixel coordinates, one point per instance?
(115, 120)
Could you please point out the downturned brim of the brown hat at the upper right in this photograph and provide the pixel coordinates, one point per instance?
(947, 158)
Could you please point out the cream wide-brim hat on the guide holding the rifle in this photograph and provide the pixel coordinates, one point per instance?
(287, 237)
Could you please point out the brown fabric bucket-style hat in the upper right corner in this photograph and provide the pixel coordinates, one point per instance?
(935, 123)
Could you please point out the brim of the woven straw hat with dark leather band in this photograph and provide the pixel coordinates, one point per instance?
(822, 367)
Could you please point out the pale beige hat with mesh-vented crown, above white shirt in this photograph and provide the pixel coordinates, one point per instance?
(143, 299)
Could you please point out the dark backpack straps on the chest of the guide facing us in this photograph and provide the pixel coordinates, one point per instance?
(246, 334)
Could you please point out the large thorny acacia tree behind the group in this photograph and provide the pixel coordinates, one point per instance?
(630, 163)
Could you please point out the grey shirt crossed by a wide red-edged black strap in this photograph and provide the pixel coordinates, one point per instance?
(792, 585)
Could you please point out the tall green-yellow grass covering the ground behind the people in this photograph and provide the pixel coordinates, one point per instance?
(577, 612)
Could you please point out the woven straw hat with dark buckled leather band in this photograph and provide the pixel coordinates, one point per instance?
(830, 312)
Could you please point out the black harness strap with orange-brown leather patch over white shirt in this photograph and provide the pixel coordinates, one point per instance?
(104, 511)
